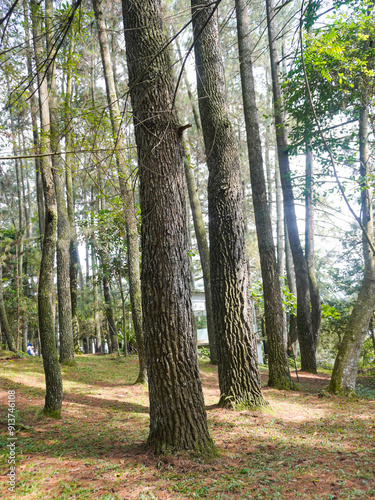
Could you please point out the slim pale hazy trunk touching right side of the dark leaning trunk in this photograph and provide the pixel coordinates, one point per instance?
(316, 307)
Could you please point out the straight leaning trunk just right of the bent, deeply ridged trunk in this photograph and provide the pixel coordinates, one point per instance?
(279, 375)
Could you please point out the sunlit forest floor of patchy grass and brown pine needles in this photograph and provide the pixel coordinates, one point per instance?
(304, 445)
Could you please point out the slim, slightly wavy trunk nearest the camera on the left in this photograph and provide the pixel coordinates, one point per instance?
(51, 365)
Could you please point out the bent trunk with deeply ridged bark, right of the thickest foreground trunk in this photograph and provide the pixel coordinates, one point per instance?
(237, 358)
